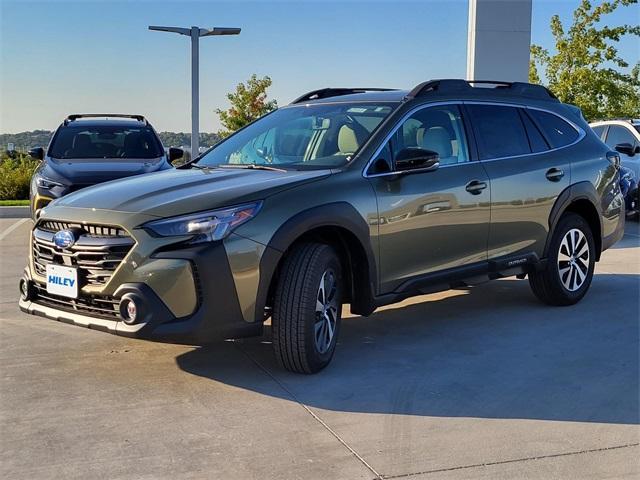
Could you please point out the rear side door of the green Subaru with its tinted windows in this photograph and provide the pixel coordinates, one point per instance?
(521, 150)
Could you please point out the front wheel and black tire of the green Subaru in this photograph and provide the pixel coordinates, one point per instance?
(306, 321)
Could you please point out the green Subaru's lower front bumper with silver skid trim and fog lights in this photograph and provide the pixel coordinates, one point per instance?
(216, 313)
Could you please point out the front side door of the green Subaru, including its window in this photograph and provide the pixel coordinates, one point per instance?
(431, 220)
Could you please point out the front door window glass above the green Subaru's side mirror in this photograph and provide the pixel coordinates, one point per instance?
(439, 129)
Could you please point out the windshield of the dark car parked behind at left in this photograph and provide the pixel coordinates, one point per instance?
(105, 141)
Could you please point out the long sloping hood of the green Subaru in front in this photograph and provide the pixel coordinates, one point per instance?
(181, 191)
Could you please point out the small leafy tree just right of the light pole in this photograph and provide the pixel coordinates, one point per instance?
(248, 103)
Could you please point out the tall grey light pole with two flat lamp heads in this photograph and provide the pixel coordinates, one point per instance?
(195, 33)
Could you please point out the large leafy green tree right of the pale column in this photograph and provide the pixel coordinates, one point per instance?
(585, 69)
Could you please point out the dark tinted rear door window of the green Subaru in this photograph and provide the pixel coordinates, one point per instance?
(500, 132)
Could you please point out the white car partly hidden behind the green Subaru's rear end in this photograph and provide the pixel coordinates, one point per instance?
(624, 137)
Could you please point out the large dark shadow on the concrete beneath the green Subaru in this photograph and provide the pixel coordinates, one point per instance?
(491, 351)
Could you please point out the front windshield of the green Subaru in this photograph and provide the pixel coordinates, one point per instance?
(300, 137)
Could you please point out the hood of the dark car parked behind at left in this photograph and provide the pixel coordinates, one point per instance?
(91, 171)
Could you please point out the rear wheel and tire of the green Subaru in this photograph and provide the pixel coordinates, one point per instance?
(569, 270)
